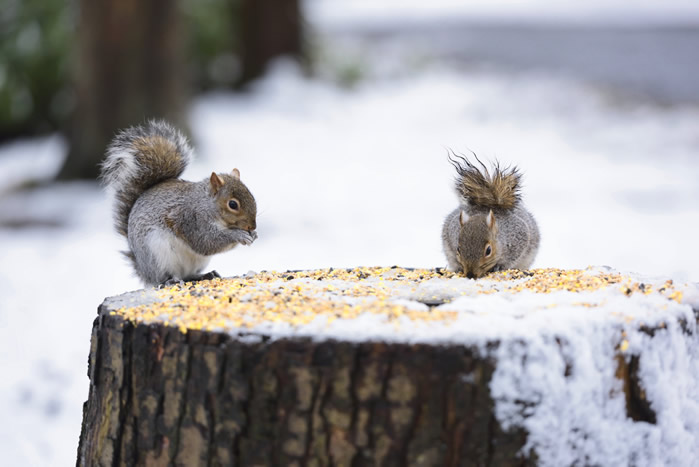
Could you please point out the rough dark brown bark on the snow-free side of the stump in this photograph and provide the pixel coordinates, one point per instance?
(160, 397)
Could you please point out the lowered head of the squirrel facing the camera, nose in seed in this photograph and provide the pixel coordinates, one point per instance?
(477, 250)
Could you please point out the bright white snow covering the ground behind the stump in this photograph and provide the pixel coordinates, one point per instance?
(344, 177)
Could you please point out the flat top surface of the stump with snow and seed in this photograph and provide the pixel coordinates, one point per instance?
(410, 305)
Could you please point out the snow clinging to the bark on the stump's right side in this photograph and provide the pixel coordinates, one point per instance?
(582, 418)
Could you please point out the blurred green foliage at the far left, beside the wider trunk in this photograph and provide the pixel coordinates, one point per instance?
(35, 61)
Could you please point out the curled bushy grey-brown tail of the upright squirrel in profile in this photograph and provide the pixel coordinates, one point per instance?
(139, 158)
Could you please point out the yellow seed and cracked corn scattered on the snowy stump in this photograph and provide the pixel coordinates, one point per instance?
(301, 297)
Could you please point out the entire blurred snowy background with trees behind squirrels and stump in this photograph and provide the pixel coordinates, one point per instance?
(339, 114)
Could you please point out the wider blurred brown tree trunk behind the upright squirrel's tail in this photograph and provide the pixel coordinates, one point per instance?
(129, 68)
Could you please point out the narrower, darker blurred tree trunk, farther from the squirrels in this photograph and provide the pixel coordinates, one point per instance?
(269, 28)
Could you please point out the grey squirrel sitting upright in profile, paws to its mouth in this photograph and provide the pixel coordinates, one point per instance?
(173, 226)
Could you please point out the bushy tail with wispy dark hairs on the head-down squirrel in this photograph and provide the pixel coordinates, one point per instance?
(499, 190)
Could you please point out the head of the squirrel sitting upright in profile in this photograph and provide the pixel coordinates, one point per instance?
(236, 204)
